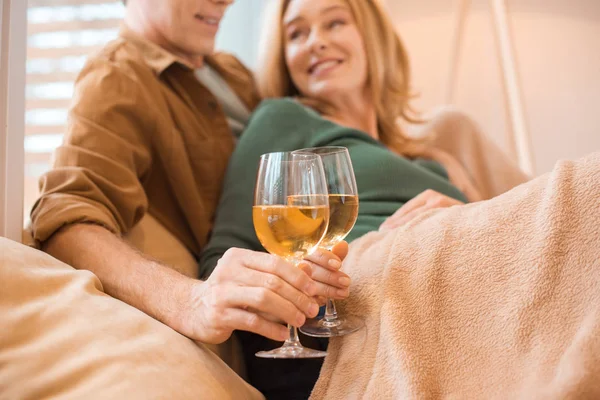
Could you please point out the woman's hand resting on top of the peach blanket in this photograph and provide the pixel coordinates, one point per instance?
(428, 200)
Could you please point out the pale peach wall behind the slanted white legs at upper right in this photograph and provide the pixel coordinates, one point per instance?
(558, 51)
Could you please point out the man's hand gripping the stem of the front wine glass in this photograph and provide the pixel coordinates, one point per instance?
(244, 289)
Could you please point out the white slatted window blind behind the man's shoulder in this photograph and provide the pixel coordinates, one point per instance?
(61, 34)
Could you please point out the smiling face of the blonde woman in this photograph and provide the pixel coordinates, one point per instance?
(324, 51)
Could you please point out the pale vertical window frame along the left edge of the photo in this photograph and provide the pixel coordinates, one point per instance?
(13, 47)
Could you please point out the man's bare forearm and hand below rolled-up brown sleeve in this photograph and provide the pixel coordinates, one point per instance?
(205, 311)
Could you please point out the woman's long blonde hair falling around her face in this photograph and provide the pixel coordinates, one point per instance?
(388, 69)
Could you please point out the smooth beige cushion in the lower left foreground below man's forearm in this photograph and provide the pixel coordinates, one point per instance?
(62, 337)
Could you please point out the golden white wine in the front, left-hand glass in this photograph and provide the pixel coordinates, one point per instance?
(291, 231)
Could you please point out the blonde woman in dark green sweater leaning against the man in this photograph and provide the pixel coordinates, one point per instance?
(341, 77)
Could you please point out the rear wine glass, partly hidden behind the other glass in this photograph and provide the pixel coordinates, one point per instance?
(343, 211)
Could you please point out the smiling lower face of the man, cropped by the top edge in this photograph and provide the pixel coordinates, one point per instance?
(185, 27)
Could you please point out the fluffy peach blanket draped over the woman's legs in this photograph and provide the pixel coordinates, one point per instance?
(496, 299)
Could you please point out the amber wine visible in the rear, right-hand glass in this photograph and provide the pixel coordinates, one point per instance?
(343, 211)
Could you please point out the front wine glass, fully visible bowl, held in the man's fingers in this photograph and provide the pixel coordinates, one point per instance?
(290, 215)
